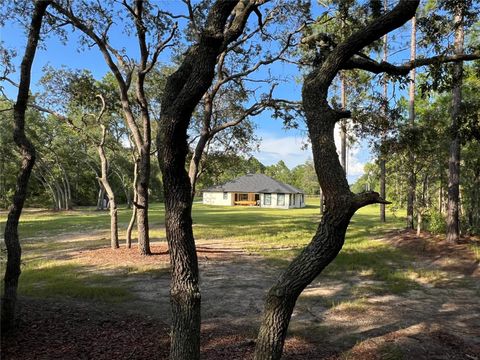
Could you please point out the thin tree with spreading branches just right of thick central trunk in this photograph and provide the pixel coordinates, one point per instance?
(226, 108)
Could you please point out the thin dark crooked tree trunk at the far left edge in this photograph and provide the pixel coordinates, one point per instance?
(12, 243)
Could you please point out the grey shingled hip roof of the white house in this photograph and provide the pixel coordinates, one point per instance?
(255, 183)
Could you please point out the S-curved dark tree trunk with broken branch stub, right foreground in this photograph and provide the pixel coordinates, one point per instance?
(340, 202)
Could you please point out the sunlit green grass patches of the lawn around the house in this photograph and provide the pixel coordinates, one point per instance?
(277, 235)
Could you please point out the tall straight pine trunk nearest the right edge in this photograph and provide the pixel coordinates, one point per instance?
(453, 218)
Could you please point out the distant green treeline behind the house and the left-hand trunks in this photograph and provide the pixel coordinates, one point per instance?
(67, 169)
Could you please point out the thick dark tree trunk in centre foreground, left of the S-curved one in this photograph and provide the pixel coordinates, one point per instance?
(183, 91)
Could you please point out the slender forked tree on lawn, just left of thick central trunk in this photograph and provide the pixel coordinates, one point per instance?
(154, 31)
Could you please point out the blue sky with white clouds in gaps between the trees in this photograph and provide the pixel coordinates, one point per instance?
(277, 143)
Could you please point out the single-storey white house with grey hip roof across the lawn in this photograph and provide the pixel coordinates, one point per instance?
(255, 190)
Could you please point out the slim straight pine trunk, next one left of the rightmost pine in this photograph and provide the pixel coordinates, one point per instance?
(412, 179)
